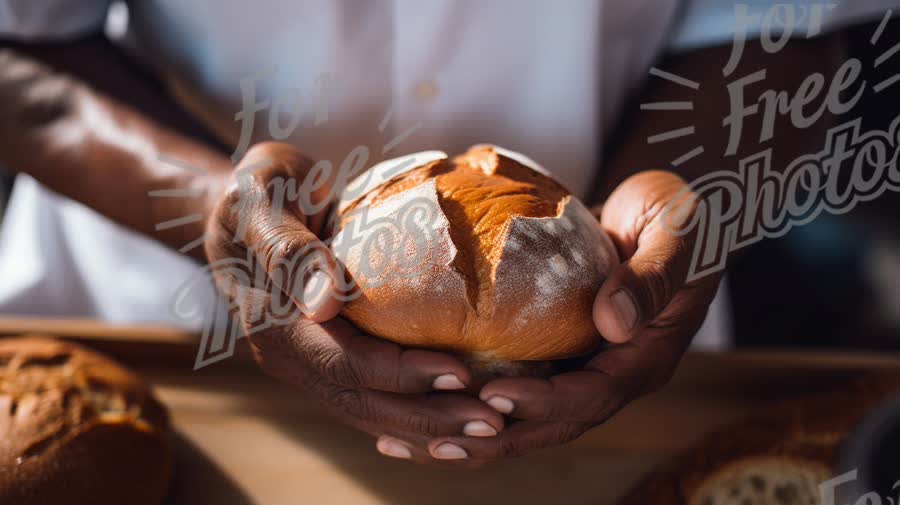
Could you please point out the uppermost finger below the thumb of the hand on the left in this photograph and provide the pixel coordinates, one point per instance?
(337, 351)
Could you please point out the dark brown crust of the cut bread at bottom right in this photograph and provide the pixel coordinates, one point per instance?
(806, 432)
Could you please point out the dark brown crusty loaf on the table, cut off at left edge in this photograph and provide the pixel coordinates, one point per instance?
(77, 428)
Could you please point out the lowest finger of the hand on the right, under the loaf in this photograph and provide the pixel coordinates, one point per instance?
(517, 440)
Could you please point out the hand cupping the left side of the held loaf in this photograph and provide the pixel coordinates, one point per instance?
(374, 385)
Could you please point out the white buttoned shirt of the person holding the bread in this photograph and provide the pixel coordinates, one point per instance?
(544, 78)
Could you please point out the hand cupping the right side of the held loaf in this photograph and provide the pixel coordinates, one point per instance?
(645, 309)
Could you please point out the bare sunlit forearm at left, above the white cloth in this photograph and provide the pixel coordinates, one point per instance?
(94, 149)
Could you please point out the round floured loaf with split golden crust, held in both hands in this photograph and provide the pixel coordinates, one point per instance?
(484, 255)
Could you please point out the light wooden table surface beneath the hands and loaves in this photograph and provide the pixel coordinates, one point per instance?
(247, 439)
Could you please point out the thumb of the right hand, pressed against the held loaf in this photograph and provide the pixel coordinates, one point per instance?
(645, 216)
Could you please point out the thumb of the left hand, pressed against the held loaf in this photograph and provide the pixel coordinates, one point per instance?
(258, 213)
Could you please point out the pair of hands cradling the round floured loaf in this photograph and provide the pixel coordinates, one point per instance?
(415, 401)
